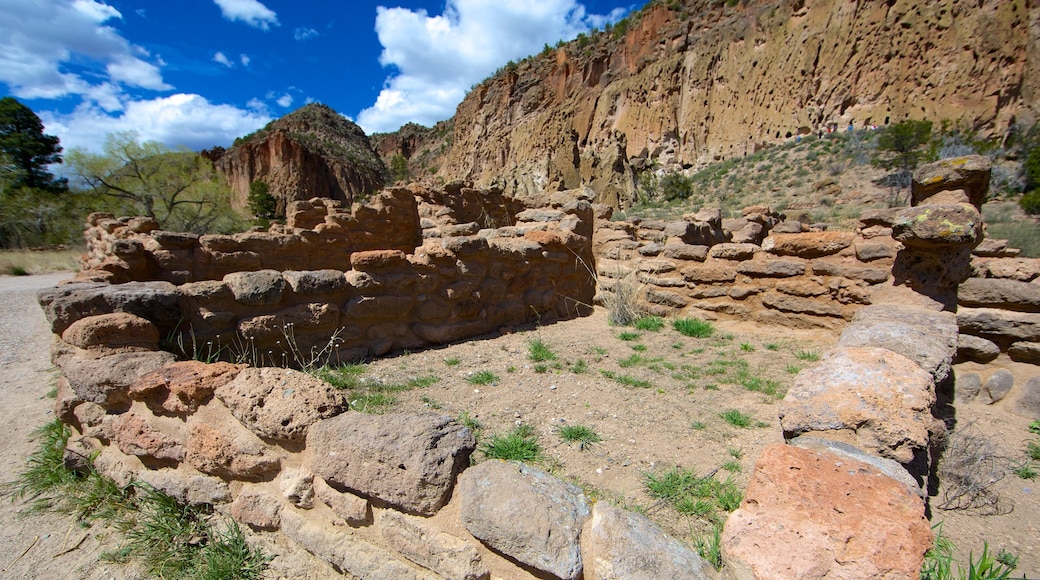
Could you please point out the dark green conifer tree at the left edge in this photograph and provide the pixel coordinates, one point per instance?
(22, 140)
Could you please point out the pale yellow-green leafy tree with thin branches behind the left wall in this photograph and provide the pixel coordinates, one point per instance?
(178, 189)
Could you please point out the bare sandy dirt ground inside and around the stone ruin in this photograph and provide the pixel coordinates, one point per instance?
(670, 414)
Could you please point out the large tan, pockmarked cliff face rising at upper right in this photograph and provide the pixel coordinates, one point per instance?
(691, 83)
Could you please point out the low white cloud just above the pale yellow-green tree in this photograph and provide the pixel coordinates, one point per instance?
(177, 120)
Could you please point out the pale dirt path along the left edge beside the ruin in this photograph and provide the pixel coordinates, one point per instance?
(47, 545)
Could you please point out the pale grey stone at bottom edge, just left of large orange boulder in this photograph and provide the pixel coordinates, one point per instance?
(621, 545)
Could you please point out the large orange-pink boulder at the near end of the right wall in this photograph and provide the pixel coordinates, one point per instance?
(814, 515)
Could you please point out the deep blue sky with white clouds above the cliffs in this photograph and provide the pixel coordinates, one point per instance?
(200, 73)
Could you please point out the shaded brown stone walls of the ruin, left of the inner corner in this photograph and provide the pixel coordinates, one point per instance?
(410, 270)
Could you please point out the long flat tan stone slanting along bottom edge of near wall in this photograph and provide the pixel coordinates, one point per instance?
(347, 551)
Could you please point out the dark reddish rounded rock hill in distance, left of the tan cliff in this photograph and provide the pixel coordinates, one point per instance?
(310, 153)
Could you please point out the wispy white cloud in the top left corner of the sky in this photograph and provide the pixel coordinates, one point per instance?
(50, 49)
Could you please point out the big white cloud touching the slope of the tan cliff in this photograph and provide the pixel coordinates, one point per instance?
(438, 59)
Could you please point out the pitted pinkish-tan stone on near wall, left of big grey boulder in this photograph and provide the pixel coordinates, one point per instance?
(280, 404)
